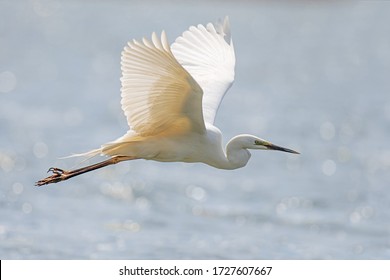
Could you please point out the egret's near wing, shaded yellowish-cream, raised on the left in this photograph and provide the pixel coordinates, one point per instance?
(158, 94)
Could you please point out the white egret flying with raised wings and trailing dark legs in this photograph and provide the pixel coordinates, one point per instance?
(170, 96)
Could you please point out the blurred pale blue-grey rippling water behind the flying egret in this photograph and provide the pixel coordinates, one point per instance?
(312, 77)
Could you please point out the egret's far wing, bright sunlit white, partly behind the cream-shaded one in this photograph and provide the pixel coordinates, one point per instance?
(207, 53)
